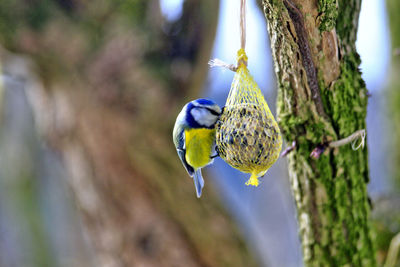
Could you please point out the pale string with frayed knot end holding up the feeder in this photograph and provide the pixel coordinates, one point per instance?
(242, 58)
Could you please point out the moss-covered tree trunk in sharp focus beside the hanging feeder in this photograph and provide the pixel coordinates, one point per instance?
(322, 97)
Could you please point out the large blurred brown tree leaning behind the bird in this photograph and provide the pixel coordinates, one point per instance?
(116, 75)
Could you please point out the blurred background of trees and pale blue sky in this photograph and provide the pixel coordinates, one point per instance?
(89, 93)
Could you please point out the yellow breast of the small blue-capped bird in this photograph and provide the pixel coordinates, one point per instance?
(199, 143)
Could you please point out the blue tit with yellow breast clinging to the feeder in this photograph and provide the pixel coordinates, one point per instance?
(194, 137)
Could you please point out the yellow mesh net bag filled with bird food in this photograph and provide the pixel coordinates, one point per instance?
(247, 135)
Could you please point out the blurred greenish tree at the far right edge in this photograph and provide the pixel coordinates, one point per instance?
(387, 212)
